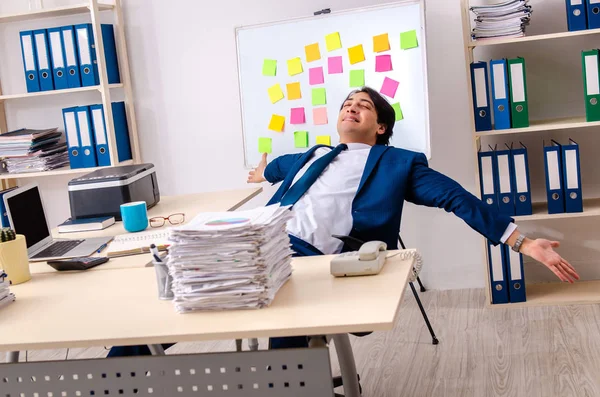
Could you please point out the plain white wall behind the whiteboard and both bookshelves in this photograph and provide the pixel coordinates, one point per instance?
(183, 57)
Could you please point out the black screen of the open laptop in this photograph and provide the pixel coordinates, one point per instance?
(27, 213)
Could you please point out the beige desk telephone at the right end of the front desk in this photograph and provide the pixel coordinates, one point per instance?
(368, 260)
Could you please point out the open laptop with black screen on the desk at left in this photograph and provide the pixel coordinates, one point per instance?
(26, 215)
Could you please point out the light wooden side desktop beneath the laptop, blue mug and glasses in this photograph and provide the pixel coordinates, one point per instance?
(191, 205)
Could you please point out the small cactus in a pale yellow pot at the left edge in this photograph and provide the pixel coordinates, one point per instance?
(13, 256)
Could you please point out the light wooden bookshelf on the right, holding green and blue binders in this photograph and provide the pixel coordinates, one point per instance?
(538, 294)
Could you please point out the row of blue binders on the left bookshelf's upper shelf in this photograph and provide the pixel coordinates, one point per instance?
(65, 57)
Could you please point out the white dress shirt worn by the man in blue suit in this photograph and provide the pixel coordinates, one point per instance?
(326, 208)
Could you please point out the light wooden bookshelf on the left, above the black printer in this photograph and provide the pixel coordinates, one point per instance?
(93, 9)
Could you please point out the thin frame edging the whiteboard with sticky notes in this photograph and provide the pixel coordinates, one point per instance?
(337, 13)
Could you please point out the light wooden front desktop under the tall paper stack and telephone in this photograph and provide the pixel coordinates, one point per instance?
(121, 307)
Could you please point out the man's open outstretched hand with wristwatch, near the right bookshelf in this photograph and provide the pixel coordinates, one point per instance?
(542, 250)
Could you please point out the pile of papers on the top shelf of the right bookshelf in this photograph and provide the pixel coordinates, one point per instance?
(506, 19)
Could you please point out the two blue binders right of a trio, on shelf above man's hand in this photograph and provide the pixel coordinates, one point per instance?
(563, 177)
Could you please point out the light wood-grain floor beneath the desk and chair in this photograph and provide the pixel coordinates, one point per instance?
(542, 351)
